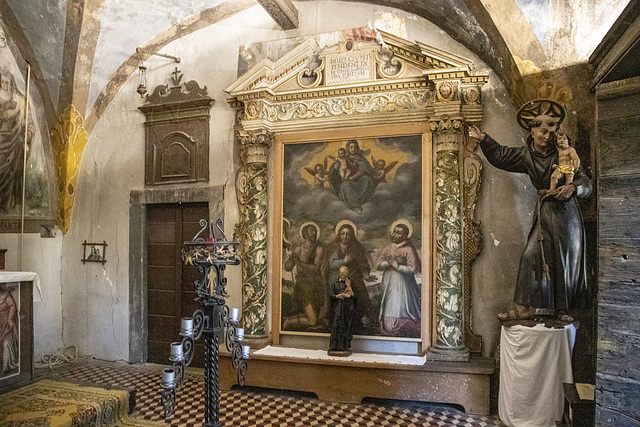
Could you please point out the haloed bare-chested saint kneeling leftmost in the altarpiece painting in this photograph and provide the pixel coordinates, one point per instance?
(308, 290)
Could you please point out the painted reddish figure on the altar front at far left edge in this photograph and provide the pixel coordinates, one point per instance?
(9, 350)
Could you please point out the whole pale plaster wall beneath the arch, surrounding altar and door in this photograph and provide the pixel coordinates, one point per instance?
(95, 296)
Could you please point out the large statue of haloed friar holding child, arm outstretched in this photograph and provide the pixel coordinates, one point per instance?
(552, 273)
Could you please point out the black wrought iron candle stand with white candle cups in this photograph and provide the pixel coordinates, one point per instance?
(213, 320)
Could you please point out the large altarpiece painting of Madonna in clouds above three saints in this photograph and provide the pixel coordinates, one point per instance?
(342, 200)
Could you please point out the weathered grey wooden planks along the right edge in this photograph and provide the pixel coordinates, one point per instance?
(618, 369)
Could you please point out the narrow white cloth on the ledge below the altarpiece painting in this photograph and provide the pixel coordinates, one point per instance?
(355, 357)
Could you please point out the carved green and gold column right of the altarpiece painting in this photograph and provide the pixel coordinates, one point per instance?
(449, 281)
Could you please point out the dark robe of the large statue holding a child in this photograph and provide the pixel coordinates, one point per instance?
(562, 232)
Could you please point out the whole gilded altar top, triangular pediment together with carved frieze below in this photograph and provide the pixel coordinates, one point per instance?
(385, 76)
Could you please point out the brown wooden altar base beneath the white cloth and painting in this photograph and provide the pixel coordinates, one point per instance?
(462, 383)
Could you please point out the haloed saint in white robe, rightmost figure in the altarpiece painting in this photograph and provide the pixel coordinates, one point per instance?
(400, 306)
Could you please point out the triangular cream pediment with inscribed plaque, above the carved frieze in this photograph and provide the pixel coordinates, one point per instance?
(310, 68)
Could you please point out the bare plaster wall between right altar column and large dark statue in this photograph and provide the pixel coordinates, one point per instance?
(505, 209)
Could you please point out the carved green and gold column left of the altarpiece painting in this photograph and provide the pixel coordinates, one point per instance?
(251, 192)
